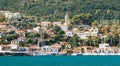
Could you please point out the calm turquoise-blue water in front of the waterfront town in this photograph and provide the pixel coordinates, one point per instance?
(60, 61)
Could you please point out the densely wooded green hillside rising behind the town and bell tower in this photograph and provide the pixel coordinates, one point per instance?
(55, 9)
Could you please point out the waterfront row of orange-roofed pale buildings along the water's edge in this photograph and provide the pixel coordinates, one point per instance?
(56, 50)
